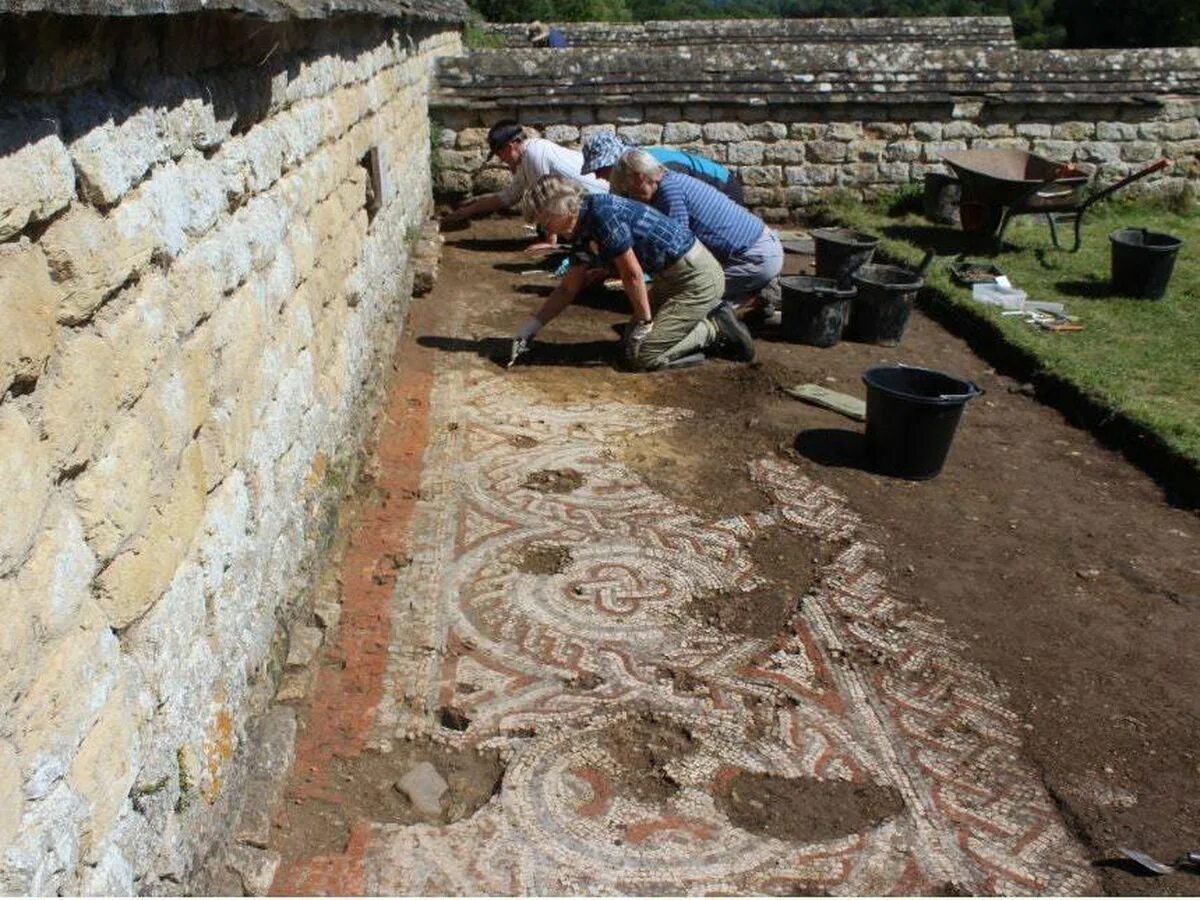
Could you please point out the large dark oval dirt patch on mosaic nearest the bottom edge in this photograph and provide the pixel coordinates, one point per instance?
(806, 811)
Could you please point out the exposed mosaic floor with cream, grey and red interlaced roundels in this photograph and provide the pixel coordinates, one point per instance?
(549, 668)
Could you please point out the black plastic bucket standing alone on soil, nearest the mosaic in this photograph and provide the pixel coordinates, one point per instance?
(911, 418)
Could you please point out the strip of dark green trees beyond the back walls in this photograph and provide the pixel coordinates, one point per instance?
(1037, 23)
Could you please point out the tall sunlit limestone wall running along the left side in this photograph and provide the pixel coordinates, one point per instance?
(201, 287)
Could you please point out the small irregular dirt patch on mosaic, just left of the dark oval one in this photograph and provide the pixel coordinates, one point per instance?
(644, 747)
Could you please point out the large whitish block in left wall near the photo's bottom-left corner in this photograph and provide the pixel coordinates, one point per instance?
(74, 681)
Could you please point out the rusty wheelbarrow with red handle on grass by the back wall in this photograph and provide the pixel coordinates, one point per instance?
(1000, 184)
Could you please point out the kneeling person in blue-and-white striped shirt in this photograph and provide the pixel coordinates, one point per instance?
(746, 248)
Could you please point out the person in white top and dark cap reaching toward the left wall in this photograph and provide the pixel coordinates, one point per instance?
(529, 159)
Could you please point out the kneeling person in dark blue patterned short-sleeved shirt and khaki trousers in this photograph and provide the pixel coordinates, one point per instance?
(680, 315)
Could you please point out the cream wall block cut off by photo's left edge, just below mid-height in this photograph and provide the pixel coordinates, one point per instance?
(27, 487)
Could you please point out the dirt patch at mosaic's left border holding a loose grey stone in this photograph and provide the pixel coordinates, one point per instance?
(389, 788)
